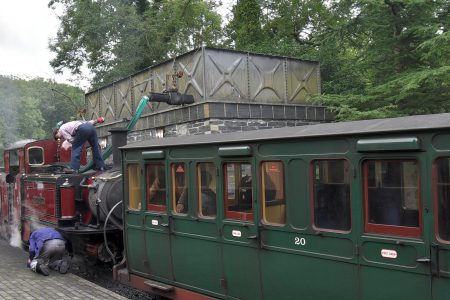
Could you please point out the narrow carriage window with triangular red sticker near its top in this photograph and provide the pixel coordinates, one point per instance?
(180, 188)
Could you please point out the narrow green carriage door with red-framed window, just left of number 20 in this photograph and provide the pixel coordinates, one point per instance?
(239, 231)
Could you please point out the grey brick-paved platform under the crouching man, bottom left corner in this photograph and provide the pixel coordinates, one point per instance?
(18, 282)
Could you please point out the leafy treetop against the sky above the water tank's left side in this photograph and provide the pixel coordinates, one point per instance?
(115, 38)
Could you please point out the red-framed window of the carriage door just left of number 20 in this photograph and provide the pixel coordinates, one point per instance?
(238, 191)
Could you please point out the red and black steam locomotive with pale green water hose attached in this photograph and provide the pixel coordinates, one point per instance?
(85, 207)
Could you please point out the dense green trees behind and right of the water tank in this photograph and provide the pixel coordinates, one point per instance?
(378, 58)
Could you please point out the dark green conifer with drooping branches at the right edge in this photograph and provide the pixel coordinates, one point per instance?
(405, 59)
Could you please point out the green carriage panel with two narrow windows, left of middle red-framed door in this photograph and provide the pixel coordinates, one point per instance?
(195, 238)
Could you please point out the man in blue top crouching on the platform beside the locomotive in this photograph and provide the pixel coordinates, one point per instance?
(47, 250)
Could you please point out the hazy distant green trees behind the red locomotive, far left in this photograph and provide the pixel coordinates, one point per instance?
(31, 108)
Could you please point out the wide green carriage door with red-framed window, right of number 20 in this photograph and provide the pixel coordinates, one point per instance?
(395, 254)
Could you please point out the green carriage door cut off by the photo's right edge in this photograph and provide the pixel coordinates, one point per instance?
(440, 250)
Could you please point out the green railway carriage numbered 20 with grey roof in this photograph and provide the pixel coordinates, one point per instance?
(352, 210)
